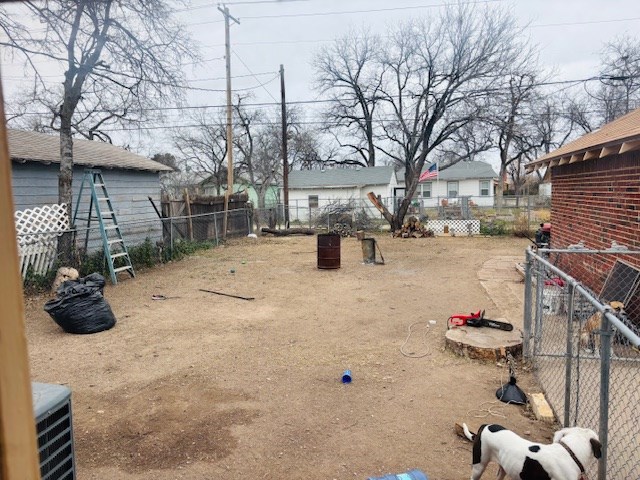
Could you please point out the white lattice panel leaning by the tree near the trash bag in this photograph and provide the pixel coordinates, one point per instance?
(37, 231)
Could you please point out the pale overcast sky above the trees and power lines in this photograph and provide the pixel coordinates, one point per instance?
(570, 35)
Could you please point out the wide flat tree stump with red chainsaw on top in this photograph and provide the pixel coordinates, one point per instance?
(484, 343)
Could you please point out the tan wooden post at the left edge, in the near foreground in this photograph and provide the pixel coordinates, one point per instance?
(18, 448)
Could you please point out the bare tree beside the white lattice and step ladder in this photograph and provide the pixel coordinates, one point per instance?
(119, 58)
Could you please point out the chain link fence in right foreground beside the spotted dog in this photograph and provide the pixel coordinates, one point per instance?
(583, 339)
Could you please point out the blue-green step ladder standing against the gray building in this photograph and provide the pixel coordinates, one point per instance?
(115, 250)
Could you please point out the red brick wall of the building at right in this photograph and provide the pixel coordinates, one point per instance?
(596, 201)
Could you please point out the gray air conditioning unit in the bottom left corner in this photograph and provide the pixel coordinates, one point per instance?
(52, 411)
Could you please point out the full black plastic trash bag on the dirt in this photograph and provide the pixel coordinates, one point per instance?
(80, 307)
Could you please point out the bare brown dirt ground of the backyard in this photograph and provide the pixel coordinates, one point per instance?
(203, 386)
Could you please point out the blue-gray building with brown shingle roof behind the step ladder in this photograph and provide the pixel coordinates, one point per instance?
(130, 179)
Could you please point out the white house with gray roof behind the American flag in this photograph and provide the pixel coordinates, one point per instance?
(464, 180)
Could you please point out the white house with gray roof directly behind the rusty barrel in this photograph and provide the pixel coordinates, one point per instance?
(315, 189)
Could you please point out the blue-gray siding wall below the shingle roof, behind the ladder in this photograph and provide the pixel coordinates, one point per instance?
(36, 184)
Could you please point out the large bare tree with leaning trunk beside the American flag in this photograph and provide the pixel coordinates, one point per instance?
(438, 74)
